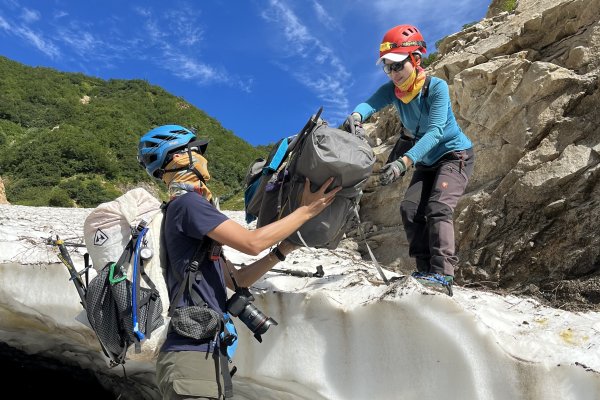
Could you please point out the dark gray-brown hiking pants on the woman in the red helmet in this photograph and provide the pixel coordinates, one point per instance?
(428, 207)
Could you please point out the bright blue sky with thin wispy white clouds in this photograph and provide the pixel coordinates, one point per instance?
(260, 67)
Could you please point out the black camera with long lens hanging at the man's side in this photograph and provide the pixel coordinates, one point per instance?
(240, 305)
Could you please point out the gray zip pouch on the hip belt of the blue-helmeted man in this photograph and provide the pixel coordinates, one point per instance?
(196, 322)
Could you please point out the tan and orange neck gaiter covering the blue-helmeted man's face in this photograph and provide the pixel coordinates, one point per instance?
(184, 180)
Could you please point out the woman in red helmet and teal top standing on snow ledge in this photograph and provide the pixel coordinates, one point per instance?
(439, 151)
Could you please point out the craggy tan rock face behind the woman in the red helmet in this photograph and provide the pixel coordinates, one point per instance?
(524, 87)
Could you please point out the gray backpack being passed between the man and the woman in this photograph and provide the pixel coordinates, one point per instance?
(318, 152)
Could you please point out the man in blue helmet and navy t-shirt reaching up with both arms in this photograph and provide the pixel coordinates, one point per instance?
(189, 368)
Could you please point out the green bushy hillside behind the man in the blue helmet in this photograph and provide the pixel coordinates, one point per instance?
(68, 139)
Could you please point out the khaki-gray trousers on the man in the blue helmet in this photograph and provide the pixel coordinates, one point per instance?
(189, 375)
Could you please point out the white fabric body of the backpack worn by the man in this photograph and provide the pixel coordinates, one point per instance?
(107, 230)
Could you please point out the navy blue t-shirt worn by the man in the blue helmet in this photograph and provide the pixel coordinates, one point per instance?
(188, 219)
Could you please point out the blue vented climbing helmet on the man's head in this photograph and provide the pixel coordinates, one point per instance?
(158, 144)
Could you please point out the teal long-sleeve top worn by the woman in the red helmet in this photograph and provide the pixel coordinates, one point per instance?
(431, 120)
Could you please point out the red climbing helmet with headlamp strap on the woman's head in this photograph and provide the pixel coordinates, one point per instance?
(399, 42)
